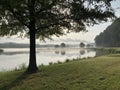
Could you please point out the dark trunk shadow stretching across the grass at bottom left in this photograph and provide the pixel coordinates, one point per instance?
(14, 82)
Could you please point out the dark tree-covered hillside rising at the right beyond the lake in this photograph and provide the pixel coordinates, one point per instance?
(111, 36)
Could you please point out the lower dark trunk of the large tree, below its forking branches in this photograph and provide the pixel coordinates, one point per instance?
(32, 68)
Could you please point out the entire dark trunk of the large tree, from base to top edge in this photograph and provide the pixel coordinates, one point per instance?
(32, 68)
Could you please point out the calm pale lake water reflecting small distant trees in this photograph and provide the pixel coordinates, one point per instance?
(14, 57)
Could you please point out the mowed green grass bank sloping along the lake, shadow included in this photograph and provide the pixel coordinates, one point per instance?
(100, 73)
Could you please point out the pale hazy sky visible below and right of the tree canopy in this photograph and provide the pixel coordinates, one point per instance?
(72, 37)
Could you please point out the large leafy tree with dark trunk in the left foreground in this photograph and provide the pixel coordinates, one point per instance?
(44, 18)
